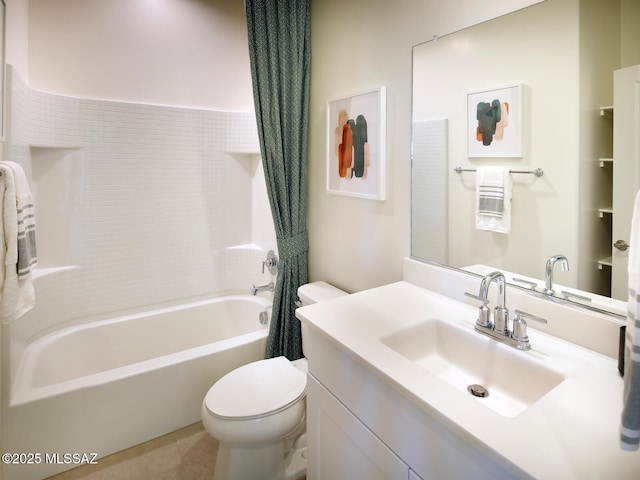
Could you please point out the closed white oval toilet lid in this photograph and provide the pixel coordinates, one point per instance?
(256, 389)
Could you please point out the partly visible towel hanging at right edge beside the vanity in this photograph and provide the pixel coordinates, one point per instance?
(630, 425)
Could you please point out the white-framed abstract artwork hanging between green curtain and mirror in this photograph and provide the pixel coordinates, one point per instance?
(356, 145)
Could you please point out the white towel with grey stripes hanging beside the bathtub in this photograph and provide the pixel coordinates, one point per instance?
(17, 248)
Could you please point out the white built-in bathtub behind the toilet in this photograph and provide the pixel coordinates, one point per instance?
(107, 385)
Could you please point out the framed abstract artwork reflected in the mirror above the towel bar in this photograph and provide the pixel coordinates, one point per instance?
(494, 125)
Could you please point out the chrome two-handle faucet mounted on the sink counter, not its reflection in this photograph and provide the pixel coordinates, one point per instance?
(499, 329)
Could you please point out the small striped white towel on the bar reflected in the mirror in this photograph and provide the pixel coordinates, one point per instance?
(493, 199)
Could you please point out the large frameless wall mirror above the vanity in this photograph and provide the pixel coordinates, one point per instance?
(562, 61)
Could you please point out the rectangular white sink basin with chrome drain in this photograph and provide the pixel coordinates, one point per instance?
(462, 357)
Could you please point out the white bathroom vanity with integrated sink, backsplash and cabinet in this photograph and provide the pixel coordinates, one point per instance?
(388, 375)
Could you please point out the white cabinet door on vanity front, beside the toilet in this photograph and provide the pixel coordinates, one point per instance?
(339, 446)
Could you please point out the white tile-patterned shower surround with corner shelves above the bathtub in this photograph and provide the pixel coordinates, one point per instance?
(161, 199)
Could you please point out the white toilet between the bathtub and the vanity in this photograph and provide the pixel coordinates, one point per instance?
(258, 412)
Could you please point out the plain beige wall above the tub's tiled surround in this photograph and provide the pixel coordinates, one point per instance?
(190, 53)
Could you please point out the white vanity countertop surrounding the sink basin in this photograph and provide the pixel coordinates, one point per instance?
(571, 432)
